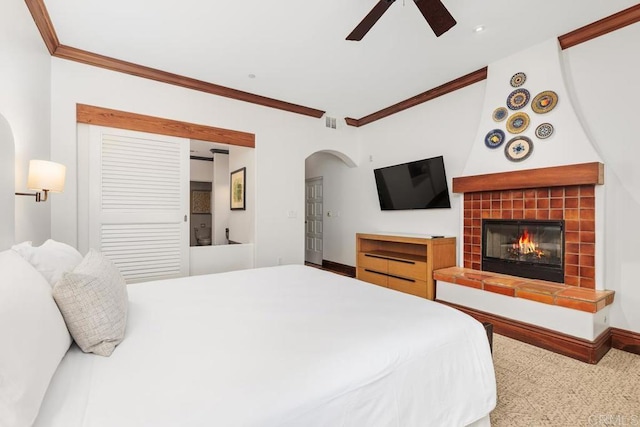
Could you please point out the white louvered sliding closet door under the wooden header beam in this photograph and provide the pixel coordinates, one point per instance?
(139, 186)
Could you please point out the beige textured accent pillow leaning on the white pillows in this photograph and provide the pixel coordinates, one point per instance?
(93, 301)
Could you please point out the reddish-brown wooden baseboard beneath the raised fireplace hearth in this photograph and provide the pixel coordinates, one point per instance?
(576, 348)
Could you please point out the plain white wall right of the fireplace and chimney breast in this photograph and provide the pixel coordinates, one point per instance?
(603, 74)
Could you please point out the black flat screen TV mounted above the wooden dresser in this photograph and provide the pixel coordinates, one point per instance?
(414, 185)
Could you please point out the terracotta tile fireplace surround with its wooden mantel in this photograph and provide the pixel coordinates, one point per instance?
(563, 193)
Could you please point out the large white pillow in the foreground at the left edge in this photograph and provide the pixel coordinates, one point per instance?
(33, 336)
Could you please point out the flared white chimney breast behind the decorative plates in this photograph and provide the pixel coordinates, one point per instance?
(568, 144)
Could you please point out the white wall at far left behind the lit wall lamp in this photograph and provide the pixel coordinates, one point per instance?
(25, 103)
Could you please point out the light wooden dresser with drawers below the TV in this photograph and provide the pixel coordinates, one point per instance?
(404, 262)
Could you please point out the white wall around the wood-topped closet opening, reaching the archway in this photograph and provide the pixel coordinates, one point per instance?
(283, 141)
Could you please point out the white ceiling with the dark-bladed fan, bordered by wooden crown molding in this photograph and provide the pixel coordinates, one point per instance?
(297, 49)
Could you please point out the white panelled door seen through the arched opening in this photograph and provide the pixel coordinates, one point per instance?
(313, 220)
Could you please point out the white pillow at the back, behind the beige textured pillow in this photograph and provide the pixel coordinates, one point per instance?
(51, 259)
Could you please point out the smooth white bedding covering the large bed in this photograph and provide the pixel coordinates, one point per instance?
(280, 346)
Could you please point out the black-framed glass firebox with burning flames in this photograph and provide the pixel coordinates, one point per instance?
(525, 248)
